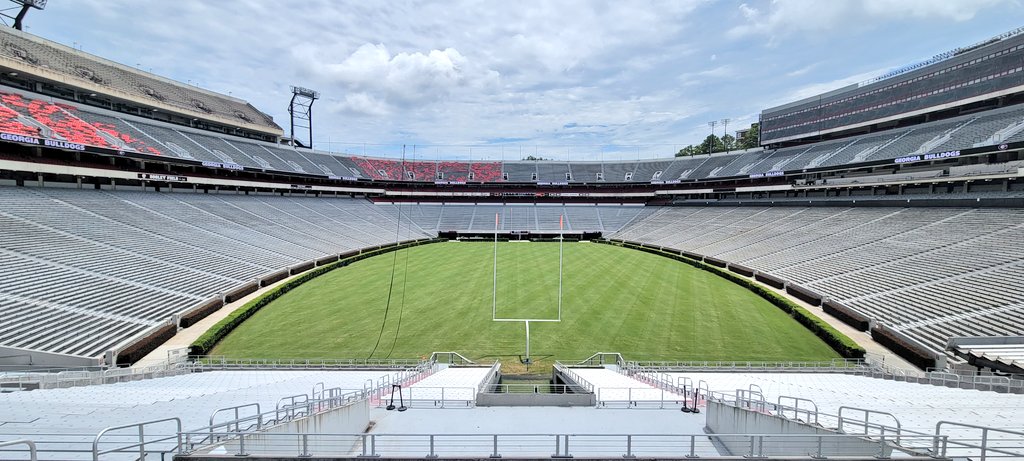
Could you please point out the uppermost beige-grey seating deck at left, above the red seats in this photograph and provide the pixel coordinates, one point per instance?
(80, 67)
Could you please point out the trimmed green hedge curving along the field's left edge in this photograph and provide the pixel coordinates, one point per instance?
(205, 344)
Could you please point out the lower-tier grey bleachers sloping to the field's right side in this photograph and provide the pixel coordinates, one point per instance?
(932, 273)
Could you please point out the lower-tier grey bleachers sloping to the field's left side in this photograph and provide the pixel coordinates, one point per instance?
(83, 271)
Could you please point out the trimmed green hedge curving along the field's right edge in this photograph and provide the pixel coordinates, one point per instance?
(840, 343)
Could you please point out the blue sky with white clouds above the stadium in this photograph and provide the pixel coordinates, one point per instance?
(483, 79)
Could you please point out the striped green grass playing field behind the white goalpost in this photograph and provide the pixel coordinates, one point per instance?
(615, 300)
